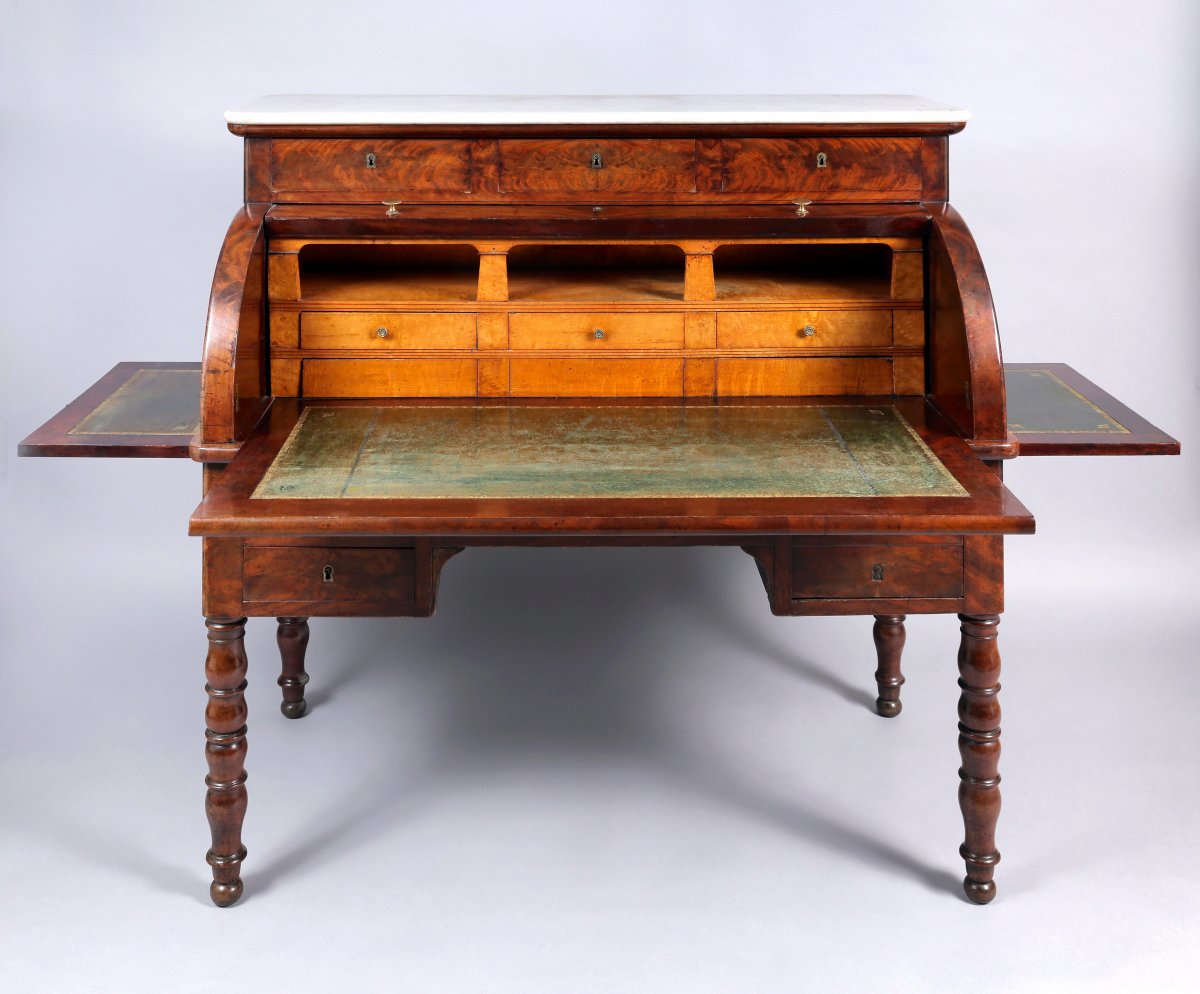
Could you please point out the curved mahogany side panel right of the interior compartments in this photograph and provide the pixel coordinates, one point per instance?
(967, 375)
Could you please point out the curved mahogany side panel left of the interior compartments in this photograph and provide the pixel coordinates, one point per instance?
(233, 381)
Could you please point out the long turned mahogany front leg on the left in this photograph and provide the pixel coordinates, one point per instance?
(226, 752)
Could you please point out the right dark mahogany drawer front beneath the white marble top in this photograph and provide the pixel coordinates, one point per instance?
(874, 169)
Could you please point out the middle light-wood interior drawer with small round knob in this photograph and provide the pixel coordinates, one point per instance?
(597, 332)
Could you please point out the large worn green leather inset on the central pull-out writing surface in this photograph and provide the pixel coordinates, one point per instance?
(443, 452)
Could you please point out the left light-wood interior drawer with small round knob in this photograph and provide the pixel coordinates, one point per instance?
(382, 330)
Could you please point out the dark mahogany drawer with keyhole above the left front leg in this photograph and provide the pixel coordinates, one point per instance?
(321, 576)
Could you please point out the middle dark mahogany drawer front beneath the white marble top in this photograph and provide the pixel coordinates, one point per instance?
(598, 166)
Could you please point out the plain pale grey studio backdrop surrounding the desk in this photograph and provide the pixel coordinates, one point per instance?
(598, 771)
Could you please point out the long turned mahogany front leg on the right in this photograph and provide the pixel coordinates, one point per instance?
(980, 749)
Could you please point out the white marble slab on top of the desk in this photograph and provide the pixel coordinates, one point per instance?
(833, 109)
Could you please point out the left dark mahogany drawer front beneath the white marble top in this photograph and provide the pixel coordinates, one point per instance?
(303, 166)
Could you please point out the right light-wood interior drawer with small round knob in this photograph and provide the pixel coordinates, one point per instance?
(805, 330)
